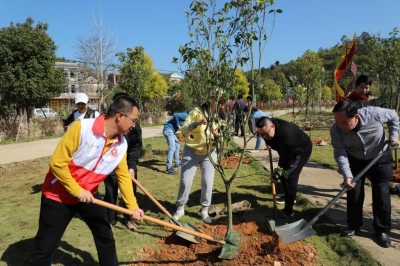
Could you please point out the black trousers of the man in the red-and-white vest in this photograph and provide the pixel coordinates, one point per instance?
(54, 219)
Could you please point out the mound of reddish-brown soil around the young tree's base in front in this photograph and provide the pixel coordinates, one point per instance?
(258, 247)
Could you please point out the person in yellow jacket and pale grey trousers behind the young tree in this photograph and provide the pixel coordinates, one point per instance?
(195, 153)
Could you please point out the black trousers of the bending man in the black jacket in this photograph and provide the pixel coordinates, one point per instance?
(290, 184)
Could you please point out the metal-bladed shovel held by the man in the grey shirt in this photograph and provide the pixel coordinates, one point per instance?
(300, 229)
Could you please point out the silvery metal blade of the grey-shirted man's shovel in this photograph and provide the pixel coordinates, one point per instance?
(293, 232)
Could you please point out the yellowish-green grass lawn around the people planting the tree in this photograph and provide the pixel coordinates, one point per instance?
(20, 185)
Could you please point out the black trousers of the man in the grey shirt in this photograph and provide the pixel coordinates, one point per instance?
(381, 173)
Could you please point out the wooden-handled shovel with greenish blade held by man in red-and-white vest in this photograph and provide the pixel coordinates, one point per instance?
(231, 244)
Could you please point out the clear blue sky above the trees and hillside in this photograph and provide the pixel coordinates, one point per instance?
(160, 26)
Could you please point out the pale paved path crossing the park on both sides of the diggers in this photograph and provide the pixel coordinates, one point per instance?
(319, 185)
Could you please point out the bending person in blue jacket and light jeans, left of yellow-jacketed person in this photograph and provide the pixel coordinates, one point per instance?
(170, 128)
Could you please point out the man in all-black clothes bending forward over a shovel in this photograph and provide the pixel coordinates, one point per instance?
(294, 148)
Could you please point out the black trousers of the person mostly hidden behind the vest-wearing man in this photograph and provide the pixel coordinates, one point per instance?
(111, 196)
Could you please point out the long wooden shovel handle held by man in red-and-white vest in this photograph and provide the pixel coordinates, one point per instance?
(159, 222)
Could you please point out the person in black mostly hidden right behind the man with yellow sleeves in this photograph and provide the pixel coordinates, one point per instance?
(135, 144)
